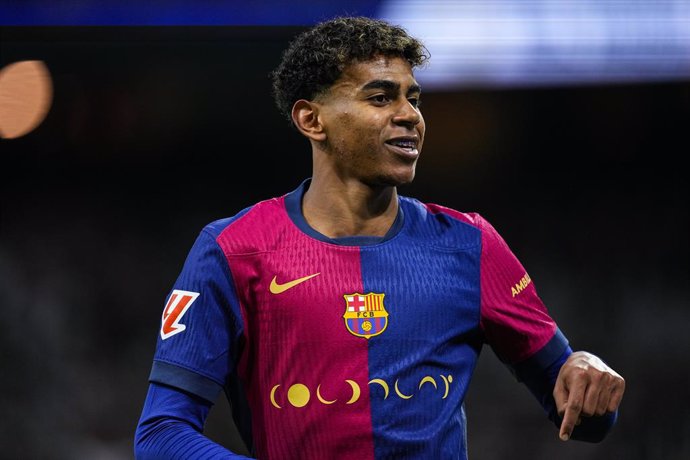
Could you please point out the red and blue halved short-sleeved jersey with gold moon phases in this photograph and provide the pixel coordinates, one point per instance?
(359, 347)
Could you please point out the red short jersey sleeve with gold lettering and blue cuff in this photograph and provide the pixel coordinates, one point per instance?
(514, 319)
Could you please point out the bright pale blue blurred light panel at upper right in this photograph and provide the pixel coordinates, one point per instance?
(498, 43)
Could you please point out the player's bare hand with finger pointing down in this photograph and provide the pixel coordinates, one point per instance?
(585, 387)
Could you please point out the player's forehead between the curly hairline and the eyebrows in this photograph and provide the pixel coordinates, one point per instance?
(359, 73)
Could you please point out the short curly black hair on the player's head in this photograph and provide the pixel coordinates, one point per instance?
(316, 58)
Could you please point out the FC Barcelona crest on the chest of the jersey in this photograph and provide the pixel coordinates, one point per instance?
(365, 316)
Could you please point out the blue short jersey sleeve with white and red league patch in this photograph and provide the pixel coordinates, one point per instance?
(201, 326)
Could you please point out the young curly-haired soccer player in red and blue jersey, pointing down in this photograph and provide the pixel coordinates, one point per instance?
(342, 319)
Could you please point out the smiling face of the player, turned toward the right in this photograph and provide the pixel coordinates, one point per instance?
(374, 129)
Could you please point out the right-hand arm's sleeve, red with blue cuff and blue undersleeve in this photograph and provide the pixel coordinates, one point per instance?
(518, 327)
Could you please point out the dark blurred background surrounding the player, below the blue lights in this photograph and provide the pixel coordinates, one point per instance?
(155, 132)
